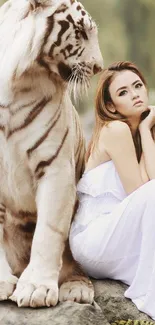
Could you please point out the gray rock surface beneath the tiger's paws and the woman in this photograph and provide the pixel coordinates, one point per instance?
(110, 305)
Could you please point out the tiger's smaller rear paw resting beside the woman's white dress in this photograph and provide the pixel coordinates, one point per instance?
(79, 291)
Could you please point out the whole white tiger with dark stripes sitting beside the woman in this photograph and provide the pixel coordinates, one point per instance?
(46, 47)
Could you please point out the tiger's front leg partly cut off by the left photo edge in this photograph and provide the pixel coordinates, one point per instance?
(7, 279)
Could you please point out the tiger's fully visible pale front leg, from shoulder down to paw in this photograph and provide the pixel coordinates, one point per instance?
(38, 284)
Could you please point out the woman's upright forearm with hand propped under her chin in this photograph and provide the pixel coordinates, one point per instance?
(148, 145)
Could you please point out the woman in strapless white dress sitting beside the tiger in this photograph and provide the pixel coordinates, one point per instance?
(113, 234)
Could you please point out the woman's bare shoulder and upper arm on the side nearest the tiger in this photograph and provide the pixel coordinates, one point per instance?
(116, 138)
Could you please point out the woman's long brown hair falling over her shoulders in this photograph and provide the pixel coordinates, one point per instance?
(103, 99)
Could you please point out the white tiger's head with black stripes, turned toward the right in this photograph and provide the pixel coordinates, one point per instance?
(57, 36)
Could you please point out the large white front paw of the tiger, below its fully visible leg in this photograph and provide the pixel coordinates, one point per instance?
(35, 290)
